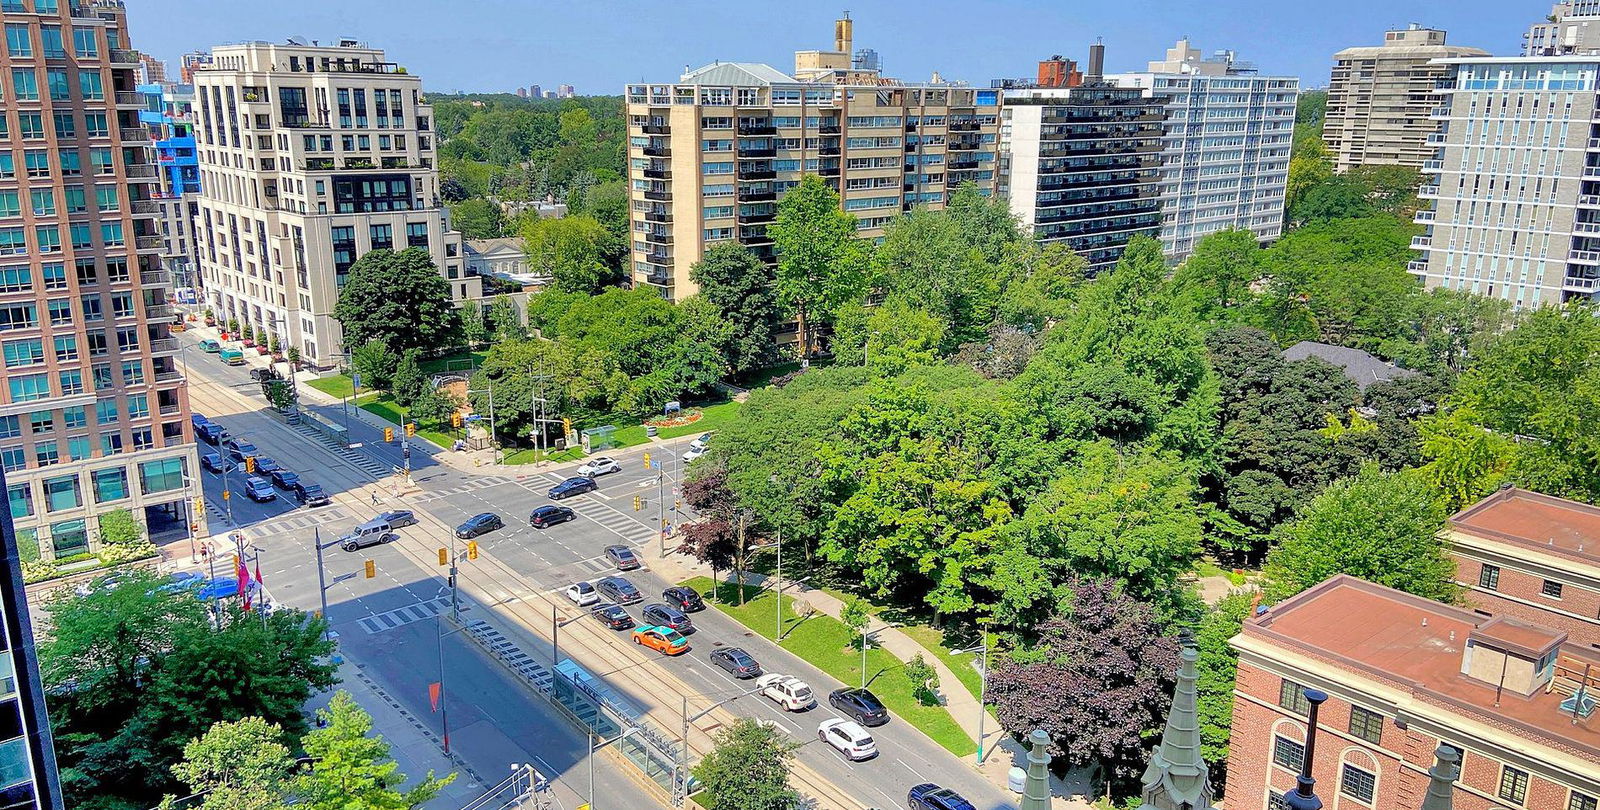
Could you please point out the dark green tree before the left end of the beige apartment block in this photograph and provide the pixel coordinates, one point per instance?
(740, 286)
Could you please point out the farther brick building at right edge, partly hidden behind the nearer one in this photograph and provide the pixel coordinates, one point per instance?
(1534, 558)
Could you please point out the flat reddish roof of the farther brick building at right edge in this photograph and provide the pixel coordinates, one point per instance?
(1534, 521)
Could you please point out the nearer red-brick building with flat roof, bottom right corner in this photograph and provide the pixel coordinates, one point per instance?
(1407, 675)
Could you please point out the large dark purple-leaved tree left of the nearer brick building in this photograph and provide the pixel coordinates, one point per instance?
(1097, 681)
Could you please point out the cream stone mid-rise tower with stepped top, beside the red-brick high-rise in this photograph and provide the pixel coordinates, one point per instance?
(310, 158)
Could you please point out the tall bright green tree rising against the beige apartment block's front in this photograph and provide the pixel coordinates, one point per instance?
(820, 262)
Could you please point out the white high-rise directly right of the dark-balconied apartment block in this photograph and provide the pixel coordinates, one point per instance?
(1225, 145)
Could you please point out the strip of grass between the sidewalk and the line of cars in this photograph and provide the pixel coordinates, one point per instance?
(826, 644)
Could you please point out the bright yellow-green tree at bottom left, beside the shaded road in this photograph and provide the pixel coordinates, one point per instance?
(353, 771)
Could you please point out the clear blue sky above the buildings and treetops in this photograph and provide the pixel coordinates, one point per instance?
(599, 46)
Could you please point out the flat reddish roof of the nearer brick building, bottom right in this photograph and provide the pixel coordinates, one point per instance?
(1401, 638)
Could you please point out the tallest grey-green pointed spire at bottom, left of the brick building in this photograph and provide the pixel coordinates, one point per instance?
(1178, 777)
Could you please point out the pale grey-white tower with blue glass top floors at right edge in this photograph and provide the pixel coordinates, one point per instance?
(1516, 182)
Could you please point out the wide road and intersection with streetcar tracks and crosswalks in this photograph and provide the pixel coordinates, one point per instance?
(386, 624)
